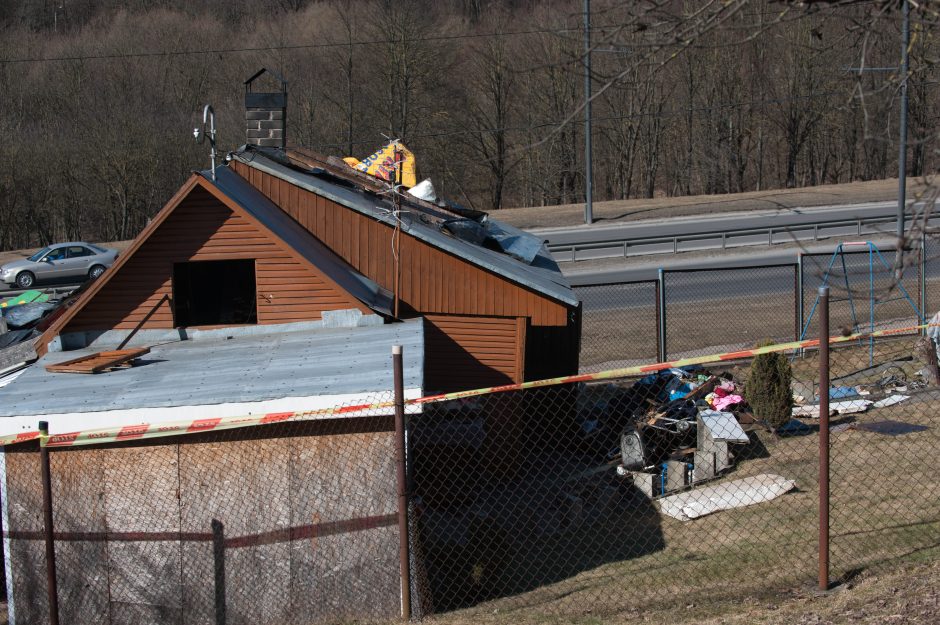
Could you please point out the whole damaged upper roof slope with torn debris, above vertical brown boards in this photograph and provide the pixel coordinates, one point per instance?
(368, 196)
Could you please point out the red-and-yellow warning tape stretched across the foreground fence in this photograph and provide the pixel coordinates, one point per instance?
(177, 428)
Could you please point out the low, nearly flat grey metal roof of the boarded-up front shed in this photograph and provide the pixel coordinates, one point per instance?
(243, 372)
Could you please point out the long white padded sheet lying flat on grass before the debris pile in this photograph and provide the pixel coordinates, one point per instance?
(725, 496)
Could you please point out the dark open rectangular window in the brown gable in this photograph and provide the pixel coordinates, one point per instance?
(211, 293)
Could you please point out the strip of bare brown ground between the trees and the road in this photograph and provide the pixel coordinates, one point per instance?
(664, 207)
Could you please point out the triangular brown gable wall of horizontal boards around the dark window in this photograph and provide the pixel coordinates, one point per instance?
(202, 228)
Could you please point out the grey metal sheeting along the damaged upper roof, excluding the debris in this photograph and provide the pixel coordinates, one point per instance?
(542, 275)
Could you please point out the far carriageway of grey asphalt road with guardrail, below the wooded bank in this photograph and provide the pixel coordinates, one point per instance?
(721, 231)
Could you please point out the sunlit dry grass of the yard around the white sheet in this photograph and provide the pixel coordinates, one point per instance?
(728, 567)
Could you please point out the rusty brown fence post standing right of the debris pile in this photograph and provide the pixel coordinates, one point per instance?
(823, 438)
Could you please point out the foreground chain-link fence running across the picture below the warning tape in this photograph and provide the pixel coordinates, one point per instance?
(604, 496)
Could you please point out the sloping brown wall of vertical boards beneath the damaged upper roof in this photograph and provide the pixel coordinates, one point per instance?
(433, 281)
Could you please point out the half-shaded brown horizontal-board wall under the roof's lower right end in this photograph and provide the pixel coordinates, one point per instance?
(473, 352)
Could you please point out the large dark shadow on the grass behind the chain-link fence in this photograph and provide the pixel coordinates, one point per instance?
(491, 527)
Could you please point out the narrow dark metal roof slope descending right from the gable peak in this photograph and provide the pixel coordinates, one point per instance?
(297, 237)
